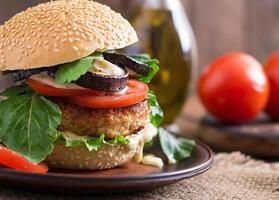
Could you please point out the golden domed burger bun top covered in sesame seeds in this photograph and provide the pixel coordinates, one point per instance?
(59, 32)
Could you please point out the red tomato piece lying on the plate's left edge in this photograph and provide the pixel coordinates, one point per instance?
(15, 161)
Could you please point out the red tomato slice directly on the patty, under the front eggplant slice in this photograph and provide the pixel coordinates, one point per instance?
(136, 93)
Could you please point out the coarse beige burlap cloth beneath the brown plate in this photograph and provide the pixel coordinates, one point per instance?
(233, 176)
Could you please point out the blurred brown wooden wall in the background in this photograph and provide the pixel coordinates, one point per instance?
(220, 25)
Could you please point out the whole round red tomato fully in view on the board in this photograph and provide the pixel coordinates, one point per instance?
(234, 88)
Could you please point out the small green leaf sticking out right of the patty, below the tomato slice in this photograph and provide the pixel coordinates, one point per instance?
(156, 114)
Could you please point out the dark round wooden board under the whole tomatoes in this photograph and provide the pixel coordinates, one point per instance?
(259, 138)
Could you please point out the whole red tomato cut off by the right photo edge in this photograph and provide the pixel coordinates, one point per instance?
(272, 72)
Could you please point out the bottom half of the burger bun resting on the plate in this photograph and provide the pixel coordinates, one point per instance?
(80, 158)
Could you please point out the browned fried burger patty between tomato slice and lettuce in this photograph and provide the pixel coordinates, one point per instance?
(111, 122)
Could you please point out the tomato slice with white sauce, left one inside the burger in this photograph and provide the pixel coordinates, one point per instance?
(45, 85)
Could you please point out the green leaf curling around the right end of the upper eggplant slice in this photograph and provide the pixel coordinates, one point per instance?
(153, 63)
